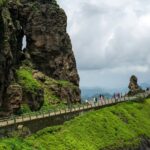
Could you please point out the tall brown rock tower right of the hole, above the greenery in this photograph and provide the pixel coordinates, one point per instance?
(44, 25)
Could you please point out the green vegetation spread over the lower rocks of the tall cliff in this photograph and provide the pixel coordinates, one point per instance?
(32, 85)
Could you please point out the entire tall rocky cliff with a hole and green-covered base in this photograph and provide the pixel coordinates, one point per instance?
(44, 72)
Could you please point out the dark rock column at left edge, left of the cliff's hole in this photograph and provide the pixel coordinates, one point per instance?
(8, 52)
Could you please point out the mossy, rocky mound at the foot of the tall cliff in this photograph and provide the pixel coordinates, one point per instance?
(43, 92)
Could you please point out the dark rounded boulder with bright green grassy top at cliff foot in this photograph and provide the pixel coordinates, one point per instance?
(33, 93)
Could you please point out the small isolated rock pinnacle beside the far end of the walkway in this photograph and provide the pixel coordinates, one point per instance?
(133, 86)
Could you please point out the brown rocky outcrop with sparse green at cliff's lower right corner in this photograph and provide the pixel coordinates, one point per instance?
(64, 91)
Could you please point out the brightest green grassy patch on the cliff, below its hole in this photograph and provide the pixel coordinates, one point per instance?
(26, 80)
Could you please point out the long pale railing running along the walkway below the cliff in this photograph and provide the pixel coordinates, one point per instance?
(42, 114)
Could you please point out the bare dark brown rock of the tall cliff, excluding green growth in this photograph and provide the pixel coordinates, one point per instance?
(48, 48)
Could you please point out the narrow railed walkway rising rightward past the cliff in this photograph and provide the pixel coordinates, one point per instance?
(10, 121)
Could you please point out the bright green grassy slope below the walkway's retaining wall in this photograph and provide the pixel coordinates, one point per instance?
(113, 127)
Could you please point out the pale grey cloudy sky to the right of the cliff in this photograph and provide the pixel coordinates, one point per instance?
(111, 40)
